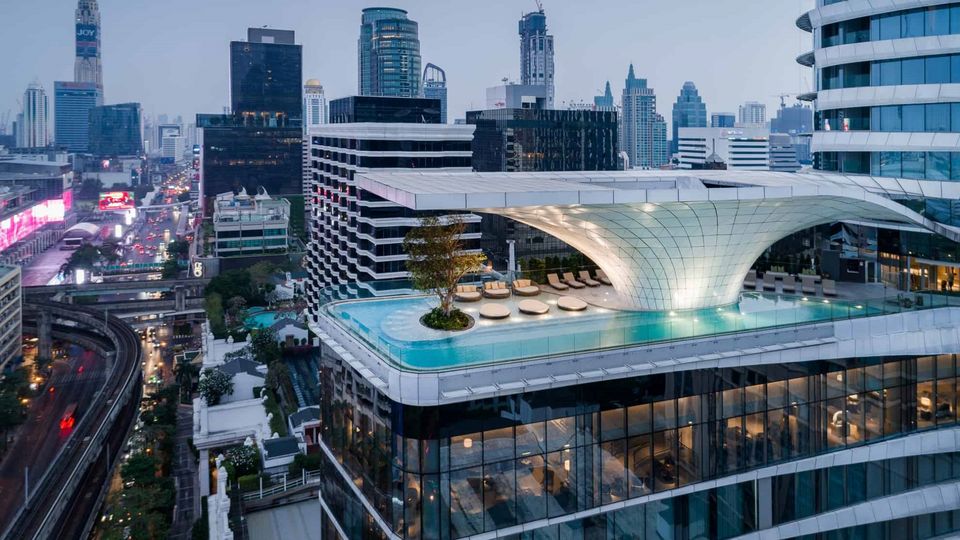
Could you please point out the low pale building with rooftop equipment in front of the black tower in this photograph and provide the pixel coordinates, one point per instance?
(249, 225)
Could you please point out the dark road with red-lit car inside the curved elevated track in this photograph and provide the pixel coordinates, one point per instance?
(39, 439)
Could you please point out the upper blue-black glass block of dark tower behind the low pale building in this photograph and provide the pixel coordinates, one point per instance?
(265, 77)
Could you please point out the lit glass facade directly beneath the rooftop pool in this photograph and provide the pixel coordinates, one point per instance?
(463, 469)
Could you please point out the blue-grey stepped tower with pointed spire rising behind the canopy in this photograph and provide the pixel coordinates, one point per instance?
(643, 132)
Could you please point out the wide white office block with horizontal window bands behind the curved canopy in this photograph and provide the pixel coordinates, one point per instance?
(745, 149)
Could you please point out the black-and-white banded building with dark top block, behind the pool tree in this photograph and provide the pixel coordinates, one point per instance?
(357, 236)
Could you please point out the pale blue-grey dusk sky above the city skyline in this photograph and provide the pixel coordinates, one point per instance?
(172, 55)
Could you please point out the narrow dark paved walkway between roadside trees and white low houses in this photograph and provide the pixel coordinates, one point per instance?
(185, 475)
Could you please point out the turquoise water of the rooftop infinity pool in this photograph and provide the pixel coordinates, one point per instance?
(391, 326)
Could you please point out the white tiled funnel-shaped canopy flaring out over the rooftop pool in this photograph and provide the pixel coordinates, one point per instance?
(669, 239)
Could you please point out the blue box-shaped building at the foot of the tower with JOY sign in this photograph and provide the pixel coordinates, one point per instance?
(73, 102)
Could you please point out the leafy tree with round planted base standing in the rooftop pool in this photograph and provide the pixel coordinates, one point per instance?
(437, 262)
